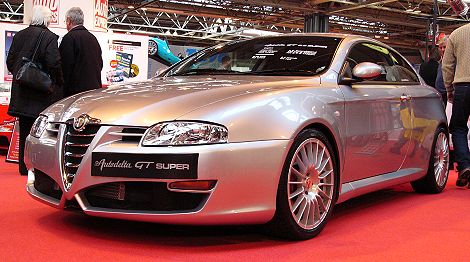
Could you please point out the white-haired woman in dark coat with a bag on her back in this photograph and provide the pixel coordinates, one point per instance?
(26, 103)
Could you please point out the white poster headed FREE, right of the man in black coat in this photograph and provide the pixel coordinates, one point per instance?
(124, 61)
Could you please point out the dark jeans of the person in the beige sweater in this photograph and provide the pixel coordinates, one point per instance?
(458, 125)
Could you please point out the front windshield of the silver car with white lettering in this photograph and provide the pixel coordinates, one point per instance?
(286, 55)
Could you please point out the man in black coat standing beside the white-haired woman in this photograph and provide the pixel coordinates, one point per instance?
(81, 56)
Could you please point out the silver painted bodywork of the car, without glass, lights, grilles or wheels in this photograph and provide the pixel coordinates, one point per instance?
(263, 115)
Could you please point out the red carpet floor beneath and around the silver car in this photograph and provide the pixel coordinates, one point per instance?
(391, 225)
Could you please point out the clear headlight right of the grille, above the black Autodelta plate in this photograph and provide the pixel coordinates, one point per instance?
(184, 133)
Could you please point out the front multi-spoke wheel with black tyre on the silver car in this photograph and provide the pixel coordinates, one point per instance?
(308, 188)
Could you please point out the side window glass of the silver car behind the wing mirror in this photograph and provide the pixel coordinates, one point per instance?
(395, 69)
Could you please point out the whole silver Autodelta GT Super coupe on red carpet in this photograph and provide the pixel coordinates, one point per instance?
(272, 130)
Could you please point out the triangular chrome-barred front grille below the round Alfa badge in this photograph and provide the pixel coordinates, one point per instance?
(75, 146)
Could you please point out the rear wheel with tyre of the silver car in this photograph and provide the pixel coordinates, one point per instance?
(438, 168)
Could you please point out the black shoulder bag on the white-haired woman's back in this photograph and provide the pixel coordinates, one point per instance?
(32, 75)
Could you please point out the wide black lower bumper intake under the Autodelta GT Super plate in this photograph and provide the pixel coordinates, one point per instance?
(143, 196)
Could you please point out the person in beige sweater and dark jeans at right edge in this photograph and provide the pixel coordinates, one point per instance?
(456, 72)
